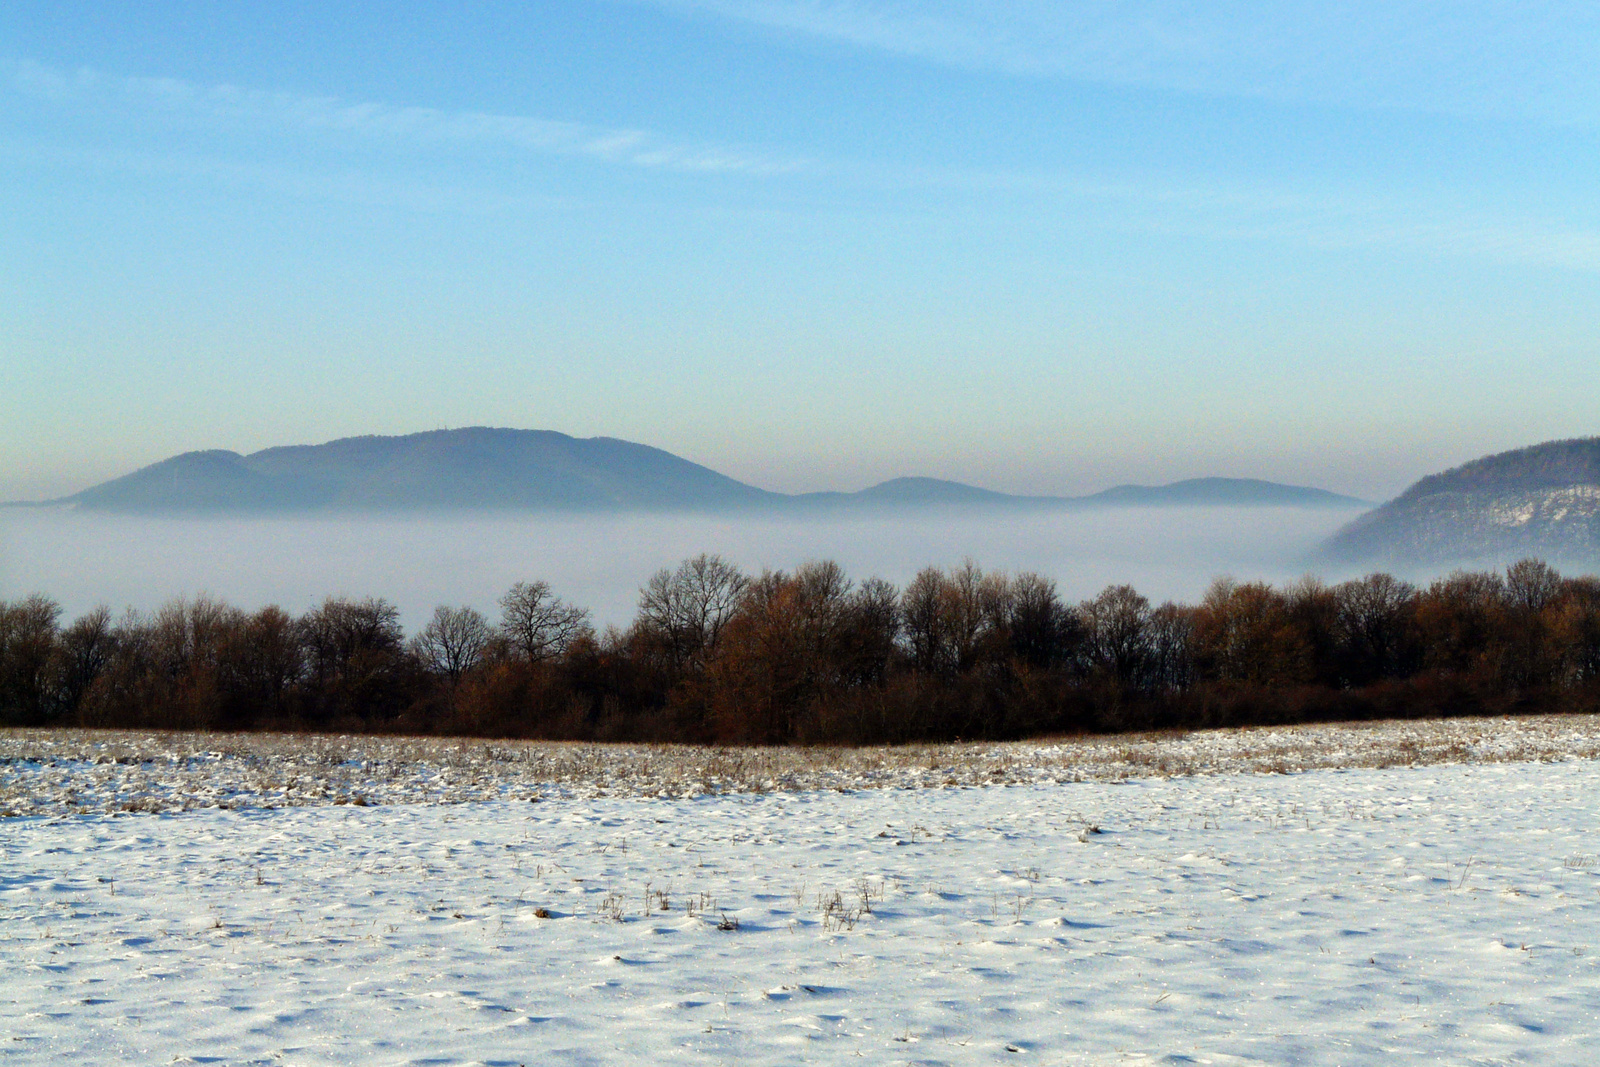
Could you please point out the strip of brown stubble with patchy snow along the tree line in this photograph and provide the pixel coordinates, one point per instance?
(106, 772)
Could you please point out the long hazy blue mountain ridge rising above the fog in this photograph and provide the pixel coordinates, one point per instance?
(484, 468)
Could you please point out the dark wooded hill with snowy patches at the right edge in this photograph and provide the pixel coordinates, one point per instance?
(1543, 500)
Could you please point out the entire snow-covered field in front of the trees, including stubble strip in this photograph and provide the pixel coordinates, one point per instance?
(774, 908)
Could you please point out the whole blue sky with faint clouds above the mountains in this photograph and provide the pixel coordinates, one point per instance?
(1041, 247)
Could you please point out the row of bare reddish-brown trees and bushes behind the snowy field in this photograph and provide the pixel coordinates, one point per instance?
(809, 657)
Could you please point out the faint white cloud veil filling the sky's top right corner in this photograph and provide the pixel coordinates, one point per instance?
(1486, 58)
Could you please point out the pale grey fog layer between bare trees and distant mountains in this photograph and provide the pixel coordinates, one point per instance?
(601, 562)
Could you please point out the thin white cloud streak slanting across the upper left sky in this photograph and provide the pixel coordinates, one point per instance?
(415, 127)
